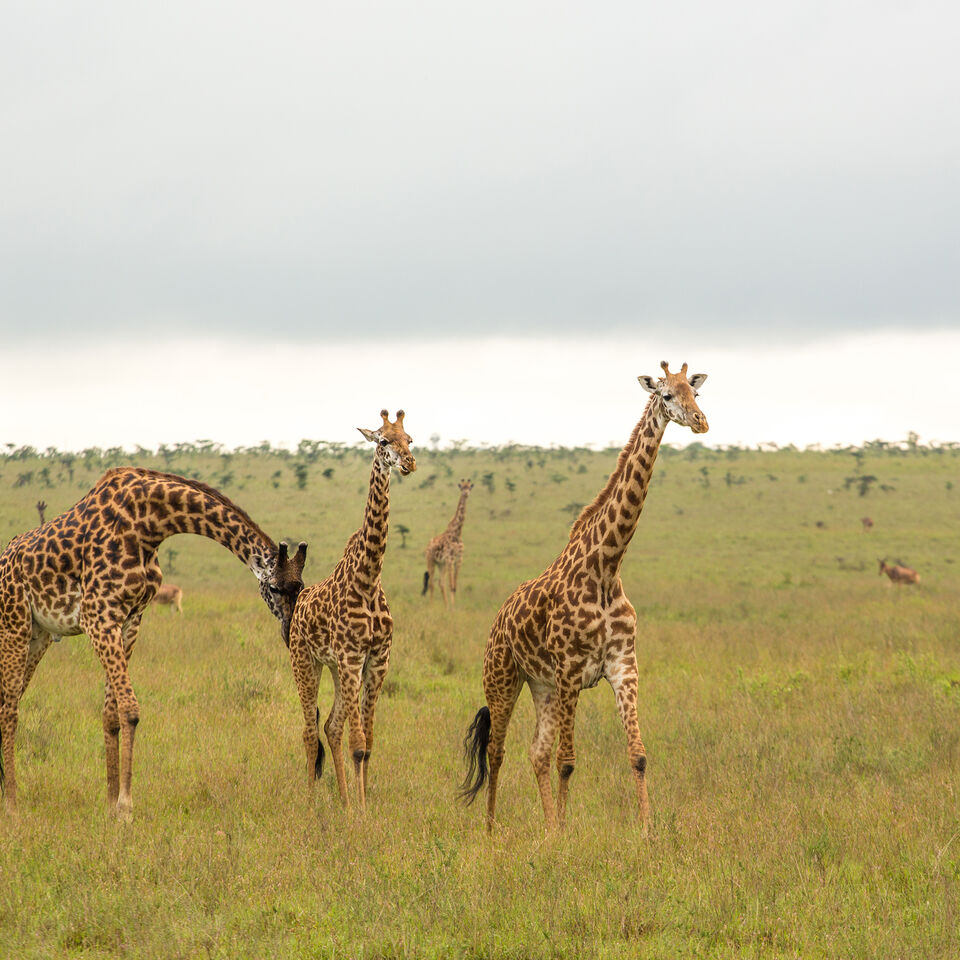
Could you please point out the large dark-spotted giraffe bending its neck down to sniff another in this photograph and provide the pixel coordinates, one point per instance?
(93, 570)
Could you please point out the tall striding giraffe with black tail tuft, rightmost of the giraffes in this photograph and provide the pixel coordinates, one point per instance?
(573, 625)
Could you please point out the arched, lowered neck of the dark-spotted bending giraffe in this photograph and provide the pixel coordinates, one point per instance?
(168, 504)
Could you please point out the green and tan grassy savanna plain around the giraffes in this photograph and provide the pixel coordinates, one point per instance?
(801, 715)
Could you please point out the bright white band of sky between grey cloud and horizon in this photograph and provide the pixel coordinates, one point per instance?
(845, 389)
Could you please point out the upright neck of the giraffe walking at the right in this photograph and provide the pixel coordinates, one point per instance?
(607, 525)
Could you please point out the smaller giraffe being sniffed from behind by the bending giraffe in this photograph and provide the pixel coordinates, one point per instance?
(344, 623)
